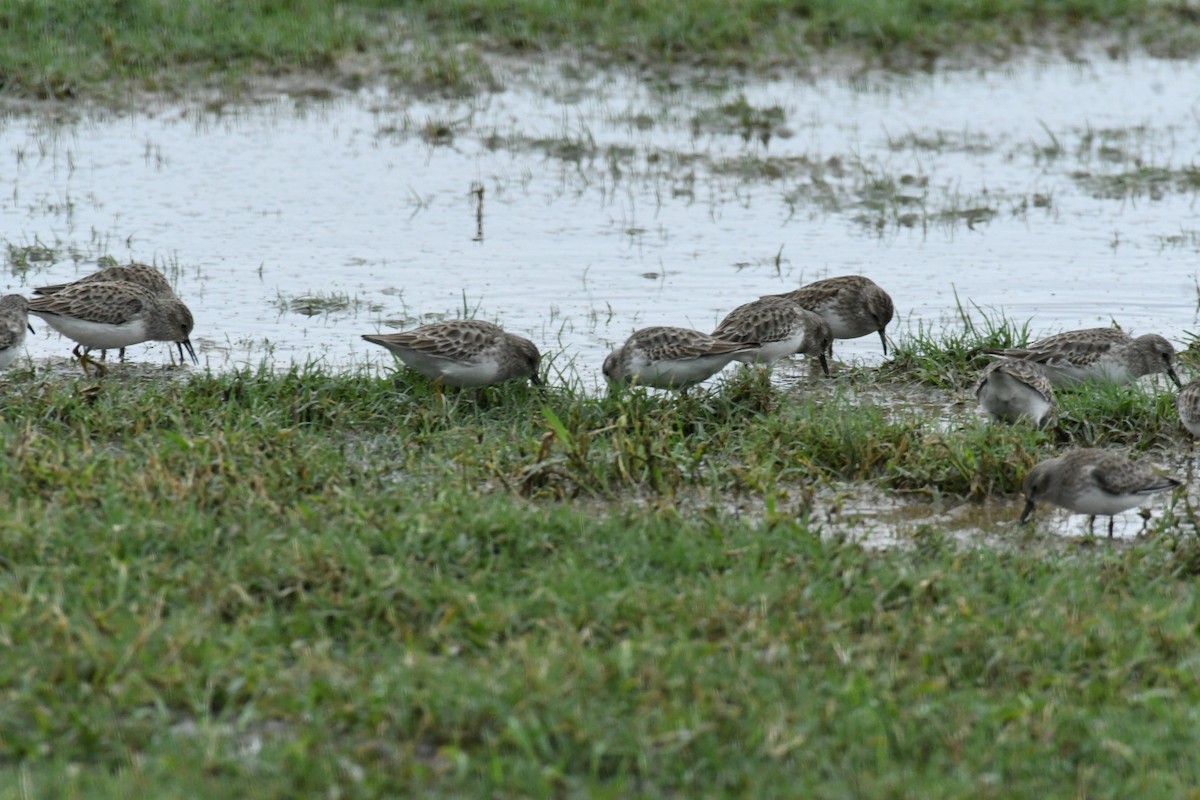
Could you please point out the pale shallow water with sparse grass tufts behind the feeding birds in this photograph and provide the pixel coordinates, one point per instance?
(611, 204)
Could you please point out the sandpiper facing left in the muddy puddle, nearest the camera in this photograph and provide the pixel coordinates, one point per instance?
(1093, 482)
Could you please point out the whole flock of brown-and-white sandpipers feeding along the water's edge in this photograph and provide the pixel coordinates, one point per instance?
(128, 305)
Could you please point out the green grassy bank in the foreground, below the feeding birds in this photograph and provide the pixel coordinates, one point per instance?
(279, 585)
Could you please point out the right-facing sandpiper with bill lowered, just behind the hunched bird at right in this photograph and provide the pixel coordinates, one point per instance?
(1105, 354)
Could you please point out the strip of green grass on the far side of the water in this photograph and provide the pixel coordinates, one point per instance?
(75, 49)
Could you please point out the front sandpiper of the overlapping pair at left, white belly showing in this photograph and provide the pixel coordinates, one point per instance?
(105, 315)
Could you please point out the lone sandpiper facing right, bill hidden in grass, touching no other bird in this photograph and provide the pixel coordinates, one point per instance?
(464, 353)
